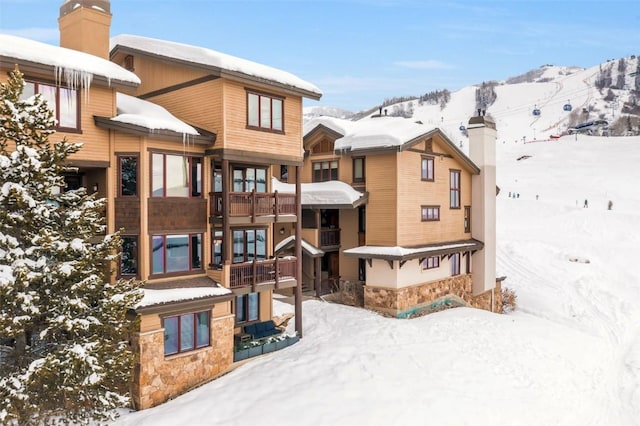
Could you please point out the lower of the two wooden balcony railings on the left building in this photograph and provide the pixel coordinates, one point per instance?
(272, 271)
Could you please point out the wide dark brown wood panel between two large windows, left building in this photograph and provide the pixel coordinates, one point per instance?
(177, 215)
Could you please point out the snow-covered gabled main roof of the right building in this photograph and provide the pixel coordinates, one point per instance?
(379, 134)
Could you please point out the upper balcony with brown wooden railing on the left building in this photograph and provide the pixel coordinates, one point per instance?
(255, 206)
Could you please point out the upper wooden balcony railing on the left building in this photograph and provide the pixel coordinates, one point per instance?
(254, 204)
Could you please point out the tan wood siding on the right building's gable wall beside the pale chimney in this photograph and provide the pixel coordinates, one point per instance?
(414, 193)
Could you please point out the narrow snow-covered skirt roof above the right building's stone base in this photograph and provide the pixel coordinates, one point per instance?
(406, 253)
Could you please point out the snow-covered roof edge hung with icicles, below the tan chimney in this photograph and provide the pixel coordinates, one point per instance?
(77, 69)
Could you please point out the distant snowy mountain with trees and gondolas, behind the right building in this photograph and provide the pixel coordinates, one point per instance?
(541, 103)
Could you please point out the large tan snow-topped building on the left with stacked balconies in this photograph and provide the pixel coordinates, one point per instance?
(181, 141)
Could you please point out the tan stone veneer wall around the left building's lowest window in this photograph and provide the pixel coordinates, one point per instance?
(157, 378)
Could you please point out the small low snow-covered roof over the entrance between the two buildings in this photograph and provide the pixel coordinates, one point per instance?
(334, 193)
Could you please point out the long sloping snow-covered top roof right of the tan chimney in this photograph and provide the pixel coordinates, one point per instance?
(226, 65)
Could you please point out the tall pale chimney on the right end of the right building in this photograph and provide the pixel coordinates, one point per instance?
(482, 151)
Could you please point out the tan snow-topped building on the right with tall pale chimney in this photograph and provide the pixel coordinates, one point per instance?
(423, 237)
